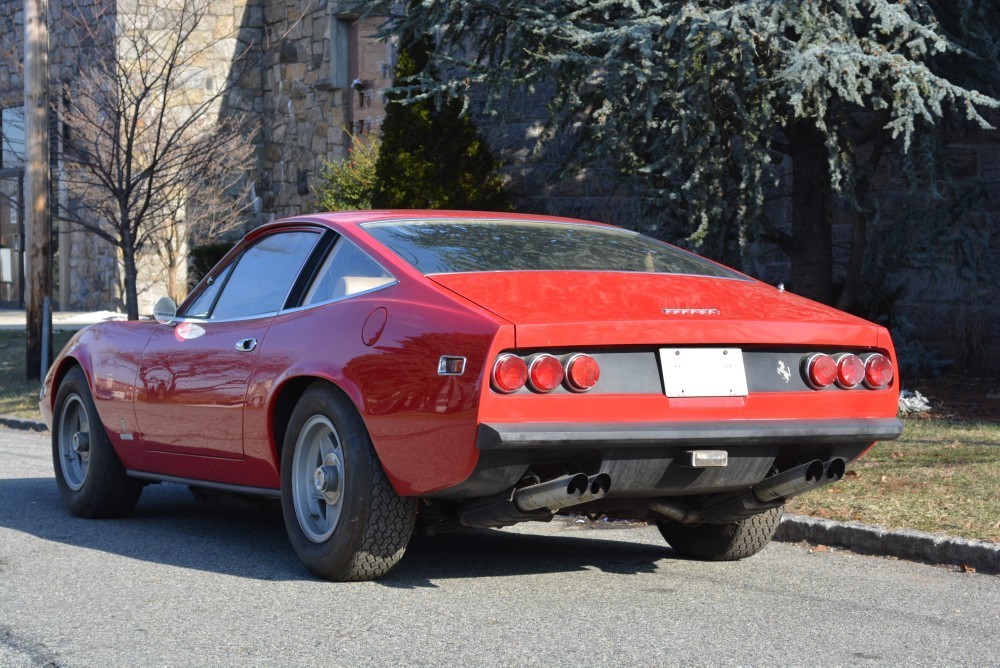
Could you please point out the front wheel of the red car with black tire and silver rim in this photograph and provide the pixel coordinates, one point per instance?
(90, 477)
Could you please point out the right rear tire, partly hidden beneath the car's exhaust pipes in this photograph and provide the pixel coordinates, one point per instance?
(723, 542)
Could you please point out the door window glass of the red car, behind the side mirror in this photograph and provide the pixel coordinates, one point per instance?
(263, 276)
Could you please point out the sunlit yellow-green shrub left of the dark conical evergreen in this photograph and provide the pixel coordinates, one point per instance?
(347, 185)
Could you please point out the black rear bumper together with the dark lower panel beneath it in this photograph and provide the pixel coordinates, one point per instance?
(647, 460)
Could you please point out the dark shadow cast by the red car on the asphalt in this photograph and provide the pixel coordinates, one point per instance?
(169, 527)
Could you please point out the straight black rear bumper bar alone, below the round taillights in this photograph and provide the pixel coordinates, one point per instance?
(700, 434)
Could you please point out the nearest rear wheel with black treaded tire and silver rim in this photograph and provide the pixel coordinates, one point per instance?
(356, 527)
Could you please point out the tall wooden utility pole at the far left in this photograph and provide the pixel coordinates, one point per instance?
(38, 281)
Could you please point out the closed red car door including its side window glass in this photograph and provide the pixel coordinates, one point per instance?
(194, 373)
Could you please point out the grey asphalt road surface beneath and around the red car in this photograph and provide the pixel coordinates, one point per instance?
(179, 583)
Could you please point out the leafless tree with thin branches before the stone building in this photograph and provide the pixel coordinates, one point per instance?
(152, 156)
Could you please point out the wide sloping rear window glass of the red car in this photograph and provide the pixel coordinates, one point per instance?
(454, 246)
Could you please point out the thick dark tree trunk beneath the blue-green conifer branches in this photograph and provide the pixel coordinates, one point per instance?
(811, 250)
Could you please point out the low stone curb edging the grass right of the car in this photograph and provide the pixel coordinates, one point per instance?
(902, 543)
